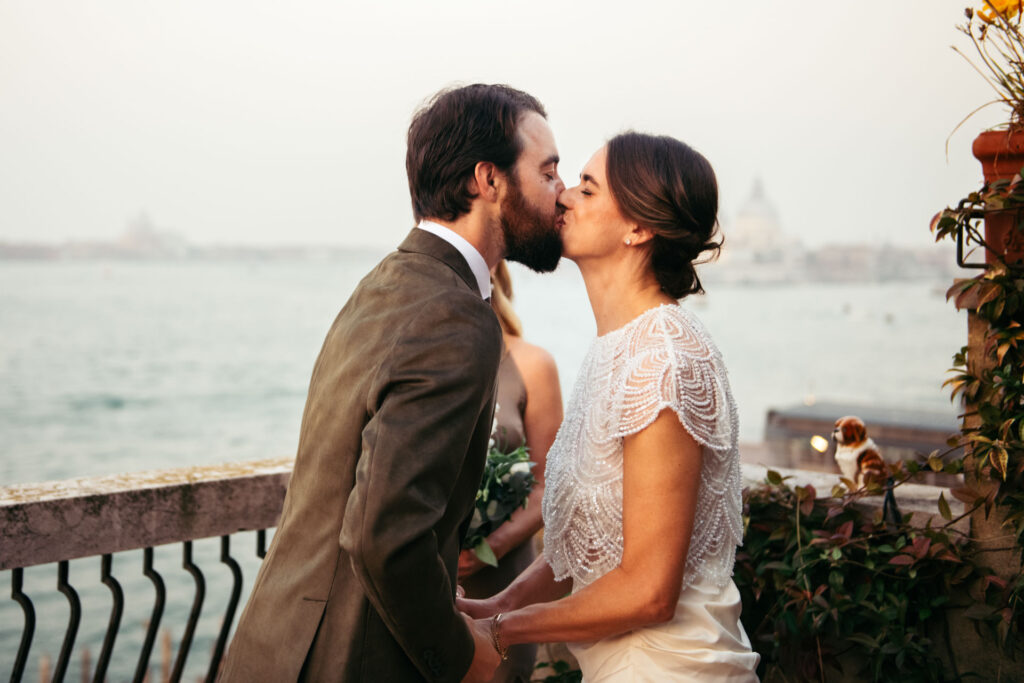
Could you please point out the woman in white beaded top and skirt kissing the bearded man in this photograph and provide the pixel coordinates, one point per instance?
(643, 505)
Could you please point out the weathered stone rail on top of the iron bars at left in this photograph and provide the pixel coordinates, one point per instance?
(62, 521)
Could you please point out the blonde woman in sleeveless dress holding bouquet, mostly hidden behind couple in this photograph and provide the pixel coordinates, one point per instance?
(530, 410)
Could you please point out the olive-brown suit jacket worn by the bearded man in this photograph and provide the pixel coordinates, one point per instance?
(360, 578)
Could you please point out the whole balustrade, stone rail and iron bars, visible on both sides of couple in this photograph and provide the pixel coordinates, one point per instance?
(55, 523)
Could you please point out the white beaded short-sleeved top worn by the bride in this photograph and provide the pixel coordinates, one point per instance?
(663, 359)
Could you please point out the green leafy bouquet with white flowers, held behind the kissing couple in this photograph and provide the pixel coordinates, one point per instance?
(507, 483)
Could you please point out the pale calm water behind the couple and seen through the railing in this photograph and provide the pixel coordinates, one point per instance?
(120, 367)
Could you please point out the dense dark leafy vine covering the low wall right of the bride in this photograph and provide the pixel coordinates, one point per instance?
(834, 590)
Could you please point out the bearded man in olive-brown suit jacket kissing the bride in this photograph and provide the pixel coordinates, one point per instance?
(359, 583)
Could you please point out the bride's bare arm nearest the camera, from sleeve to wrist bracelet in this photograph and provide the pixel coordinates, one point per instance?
(661, 479)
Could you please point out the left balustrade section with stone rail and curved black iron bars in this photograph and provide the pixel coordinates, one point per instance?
(47, 525)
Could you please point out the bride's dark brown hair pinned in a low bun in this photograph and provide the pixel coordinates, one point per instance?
(667, 187)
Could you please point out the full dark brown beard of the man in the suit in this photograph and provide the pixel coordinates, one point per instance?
(531, 238)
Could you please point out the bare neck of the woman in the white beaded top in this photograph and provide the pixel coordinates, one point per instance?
(621, 291)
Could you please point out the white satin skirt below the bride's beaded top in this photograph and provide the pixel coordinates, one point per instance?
(704, 643)
